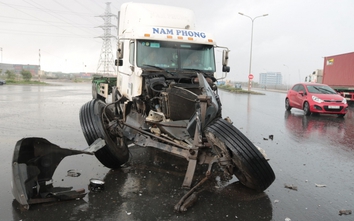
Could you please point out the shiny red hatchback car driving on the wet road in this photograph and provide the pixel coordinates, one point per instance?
(316, 98)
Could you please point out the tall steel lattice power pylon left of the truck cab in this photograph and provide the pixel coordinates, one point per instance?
(106, 60)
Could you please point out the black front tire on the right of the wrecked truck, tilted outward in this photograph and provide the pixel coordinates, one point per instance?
(250, 166)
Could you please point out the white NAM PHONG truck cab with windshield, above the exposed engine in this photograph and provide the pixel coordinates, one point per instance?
(159, 38)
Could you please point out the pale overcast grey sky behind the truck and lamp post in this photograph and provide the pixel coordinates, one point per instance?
(292, 39)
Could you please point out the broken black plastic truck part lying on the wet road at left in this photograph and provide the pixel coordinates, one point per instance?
(33, 164)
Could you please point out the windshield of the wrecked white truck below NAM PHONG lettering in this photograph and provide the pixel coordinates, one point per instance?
(173, 55)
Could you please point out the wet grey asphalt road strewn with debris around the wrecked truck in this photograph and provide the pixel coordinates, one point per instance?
(305, 151)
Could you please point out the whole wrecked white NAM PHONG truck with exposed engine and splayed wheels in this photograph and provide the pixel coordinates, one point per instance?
(165, 97)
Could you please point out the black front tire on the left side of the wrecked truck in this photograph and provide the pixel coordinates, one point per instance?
(94, 125)
